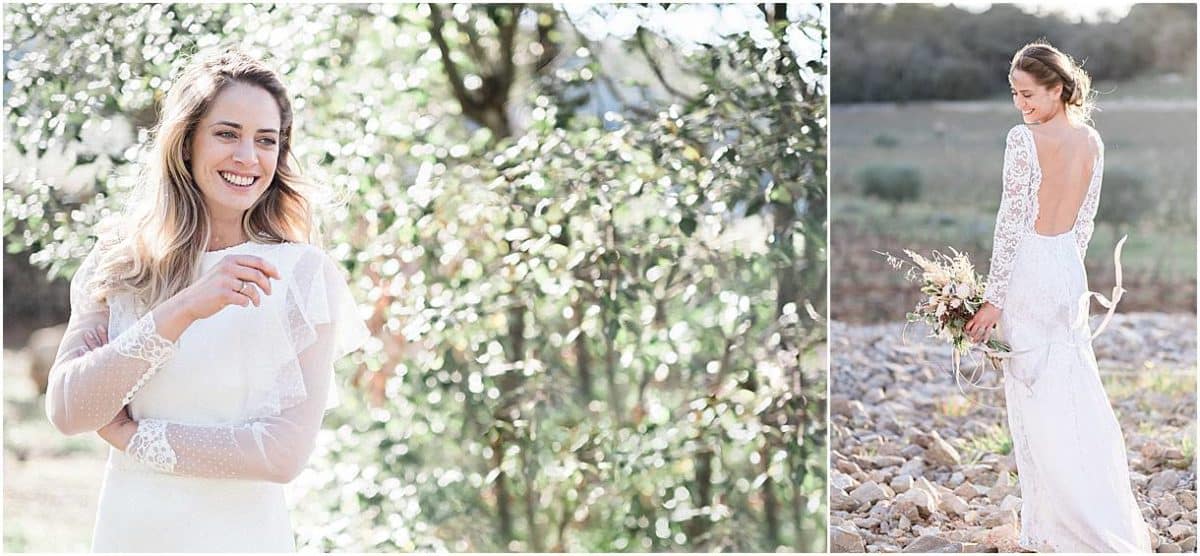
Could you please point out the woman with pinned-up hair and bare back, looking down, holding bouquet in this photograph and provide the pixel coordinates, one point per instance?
(1070, 451)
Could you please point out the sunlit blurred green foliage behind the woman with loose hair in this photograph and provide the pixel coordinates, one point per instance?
(597, 327)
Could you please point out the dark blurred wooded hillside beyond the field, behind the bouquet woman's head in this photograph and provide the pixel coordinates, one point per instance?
(910, 52)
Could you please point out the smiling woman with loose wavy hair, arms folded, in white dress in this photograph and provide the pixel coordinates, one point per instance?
(205, 326)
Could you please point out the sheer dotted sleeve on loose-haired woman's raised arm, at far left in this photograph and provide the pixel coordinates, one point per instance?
(88, 388)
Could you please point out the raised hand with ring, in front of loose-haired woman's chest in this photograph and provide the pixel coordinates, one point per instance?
(237, 280)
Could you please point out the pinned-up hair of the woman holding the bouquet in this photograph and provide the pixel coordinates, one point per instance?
(1051, 67)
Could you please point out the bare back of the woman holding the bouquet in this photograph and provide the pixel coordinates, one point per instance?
(1067, 160)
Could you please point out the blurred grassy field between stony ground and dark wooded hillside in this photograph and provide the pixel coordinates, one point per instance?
(957, 150)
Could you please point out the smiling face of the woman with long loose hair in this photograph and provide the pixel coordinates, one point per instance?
(236, 148)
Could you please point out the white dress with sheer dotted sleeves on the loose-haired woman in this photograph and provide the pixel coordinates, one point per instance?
(226, 416)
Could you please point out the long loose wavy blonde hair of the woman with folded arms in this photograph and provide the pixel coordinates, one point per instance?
(160, 253)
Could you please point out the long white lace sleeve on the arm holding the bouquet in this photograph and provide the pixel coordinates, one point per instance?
(1012, 217)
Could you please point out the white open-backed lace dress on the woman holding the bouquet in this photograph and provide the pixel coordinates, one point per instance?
(1071, 456)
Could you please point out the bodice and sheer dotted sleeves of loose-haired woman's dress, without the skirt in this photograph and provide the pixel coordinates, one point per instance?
(266, 374)
